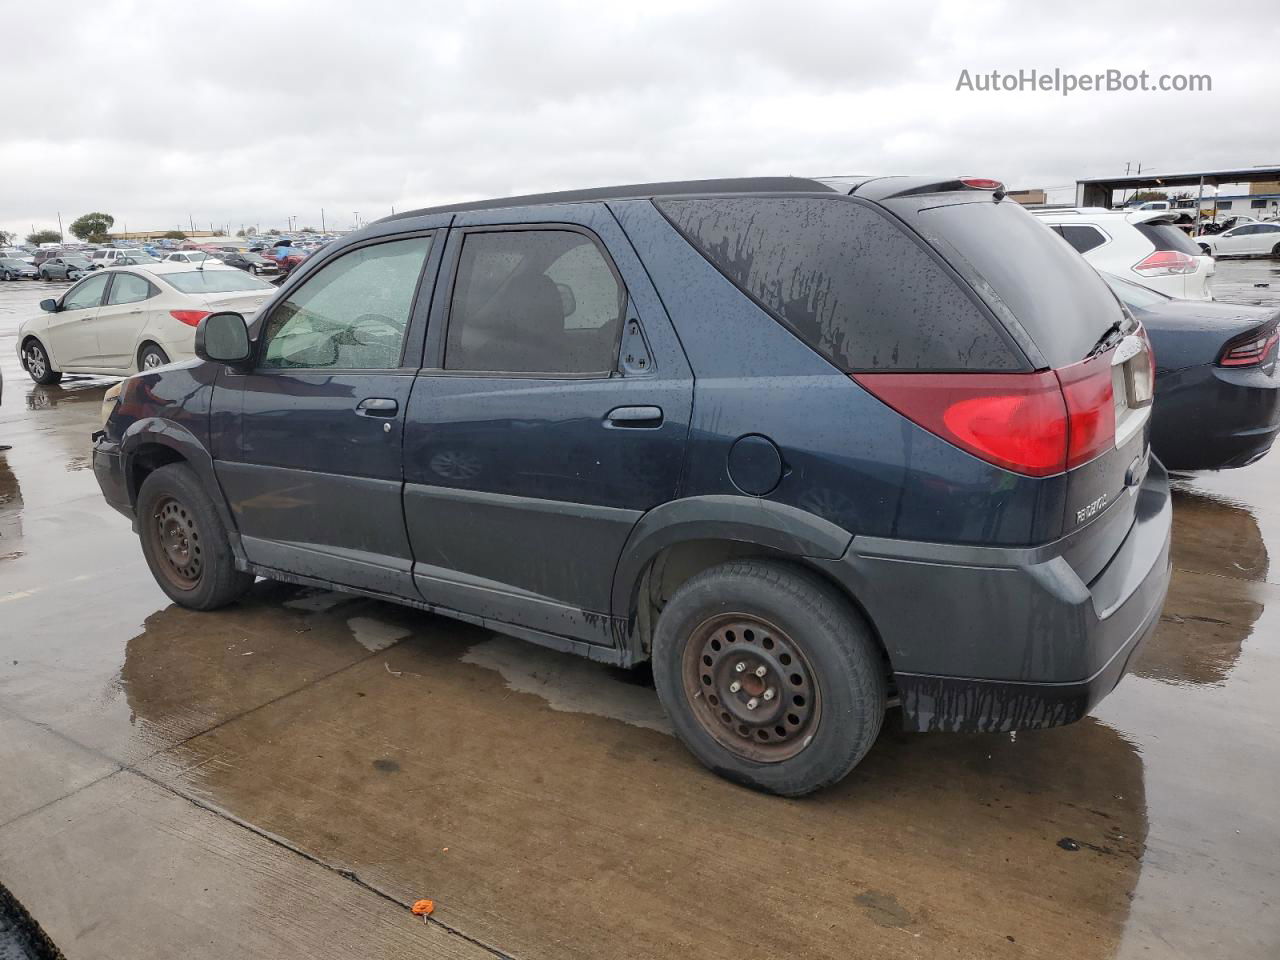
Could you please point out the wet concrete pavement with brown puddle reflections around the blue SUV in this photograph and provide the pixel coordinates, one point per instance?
(285, 778)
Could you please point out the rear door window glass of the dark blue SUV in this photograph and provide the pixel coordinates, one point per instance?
(534, 301)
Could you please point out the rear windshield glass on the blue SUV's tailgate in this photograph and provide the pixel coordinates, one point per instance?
(1023, 267)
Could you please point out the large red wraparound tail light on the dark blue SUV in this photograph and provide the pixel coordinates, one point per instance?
(1034, 424)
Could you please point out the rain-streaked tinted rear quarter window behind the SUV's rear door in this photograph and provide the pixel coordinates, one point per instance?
(847, 281)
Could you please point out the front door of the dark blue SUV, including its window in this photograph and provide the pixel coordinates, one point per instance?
(312, 464)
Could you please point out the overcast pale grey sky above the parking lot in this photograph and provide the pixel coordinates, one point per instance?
(248, 113)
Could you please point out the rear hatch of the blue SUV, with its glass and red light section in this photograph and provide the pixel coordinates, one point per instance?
(1086, 350)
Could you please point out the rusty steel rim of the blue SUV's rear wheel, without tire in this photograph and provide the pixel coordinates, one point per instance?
(769, 669)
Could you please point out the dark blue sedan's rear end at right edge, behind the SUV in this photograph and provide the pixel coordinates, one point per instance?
(1218, 390)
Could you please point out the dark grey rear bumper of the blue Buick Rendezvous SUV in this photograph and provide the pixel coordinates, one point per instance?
(991, 639)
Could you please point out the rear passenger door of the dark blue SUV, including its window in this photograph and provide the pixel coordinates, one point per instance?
(552, 413)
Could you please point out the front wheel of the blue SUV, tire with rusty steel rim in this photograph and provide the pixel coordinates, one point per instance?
(185, 542)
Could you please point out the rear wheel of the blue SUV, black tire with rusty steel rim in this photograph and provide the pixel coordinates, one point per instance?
(820, 660)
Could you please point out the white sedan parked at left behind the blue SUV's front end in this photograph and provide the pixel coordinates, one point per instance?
(126, 319)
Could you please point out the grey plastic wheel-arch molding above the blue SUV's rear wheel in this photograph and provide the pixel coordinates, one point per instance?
(778, 527)
